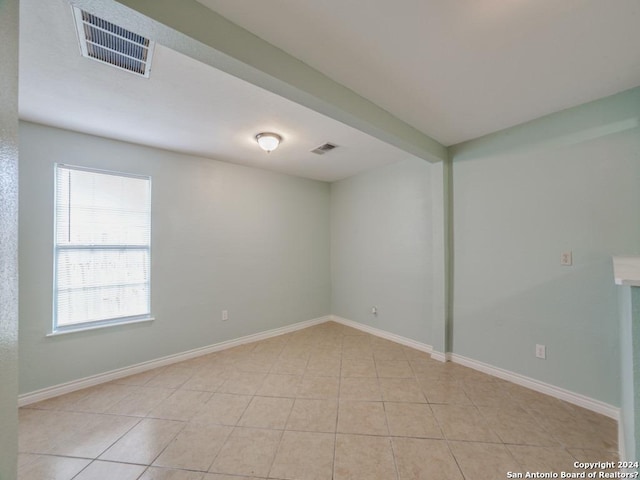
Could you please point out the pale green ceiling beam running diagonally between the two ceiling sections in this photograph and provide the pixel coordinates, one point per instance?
(188, 27)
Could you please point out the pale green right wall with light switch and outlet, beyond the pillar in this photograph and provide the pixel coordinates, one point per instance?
(569, 181)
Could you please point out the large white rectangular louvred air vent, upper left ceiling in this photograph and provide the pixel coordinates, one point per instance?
(108, 43)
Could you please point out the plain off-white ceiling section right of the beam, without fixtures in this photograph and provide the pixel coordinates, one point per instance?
(458, 69)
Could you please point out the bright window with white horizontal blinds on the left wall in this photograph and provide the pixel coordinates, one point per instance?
(102, 248)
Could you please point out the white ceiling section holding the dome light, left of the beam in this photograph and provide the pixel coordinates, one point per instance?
(185, 105)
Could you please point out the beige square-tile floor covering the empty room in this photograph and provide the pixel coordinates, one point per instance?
(326, 402)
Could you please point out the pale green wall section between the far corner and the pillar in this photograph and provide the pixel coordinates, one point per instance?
(382, 248)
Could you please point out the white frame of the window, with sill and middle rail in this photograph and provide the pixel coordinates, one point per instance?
(57, 249)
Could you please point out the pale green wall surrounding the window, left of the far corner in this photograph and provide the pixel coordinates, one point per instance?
(224, 237)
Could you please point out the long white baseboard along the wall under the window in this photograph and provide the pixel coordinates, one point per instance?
(61, 389)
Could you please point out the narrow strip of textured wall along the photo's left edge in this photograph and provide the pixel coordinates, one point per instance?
(8, 239)
